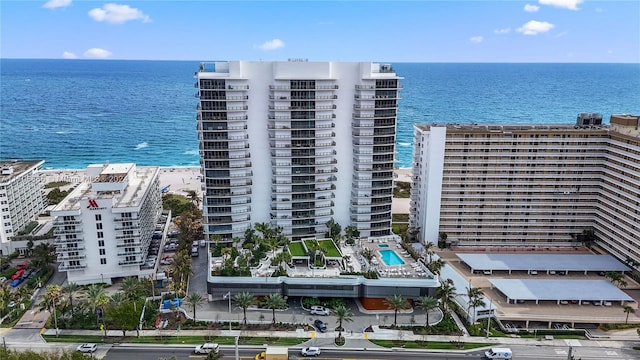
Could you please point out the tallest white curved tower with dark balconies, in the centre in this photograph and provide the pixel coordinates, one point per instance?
(295, 144)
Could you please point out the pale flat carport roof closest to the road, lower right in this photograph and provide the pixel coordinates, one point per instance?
(547, 289)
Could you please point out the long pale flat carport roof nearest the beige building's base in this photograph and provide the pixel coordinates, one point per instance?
(557, 262)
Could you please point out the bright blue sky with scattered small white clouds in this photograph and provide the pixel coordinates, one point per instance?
(397, 31)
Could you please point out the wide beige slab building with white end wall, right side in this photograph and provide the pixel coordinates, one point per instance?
(530, 185)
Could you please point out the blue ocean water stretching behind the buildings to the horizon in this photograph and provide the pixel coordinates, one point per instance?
(75, 112)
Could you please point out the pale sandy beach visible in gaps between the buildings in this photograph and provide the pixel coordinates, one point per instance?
(179, 180)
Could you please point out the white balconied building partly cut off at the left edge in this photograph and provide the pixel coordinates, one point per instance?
(21, 198)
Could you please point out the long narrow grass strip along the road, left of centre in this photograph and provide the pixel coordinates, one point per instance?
(175, 339)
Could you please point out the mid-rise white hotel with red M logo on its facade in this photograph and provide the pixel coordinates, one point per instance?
(104, 226)
